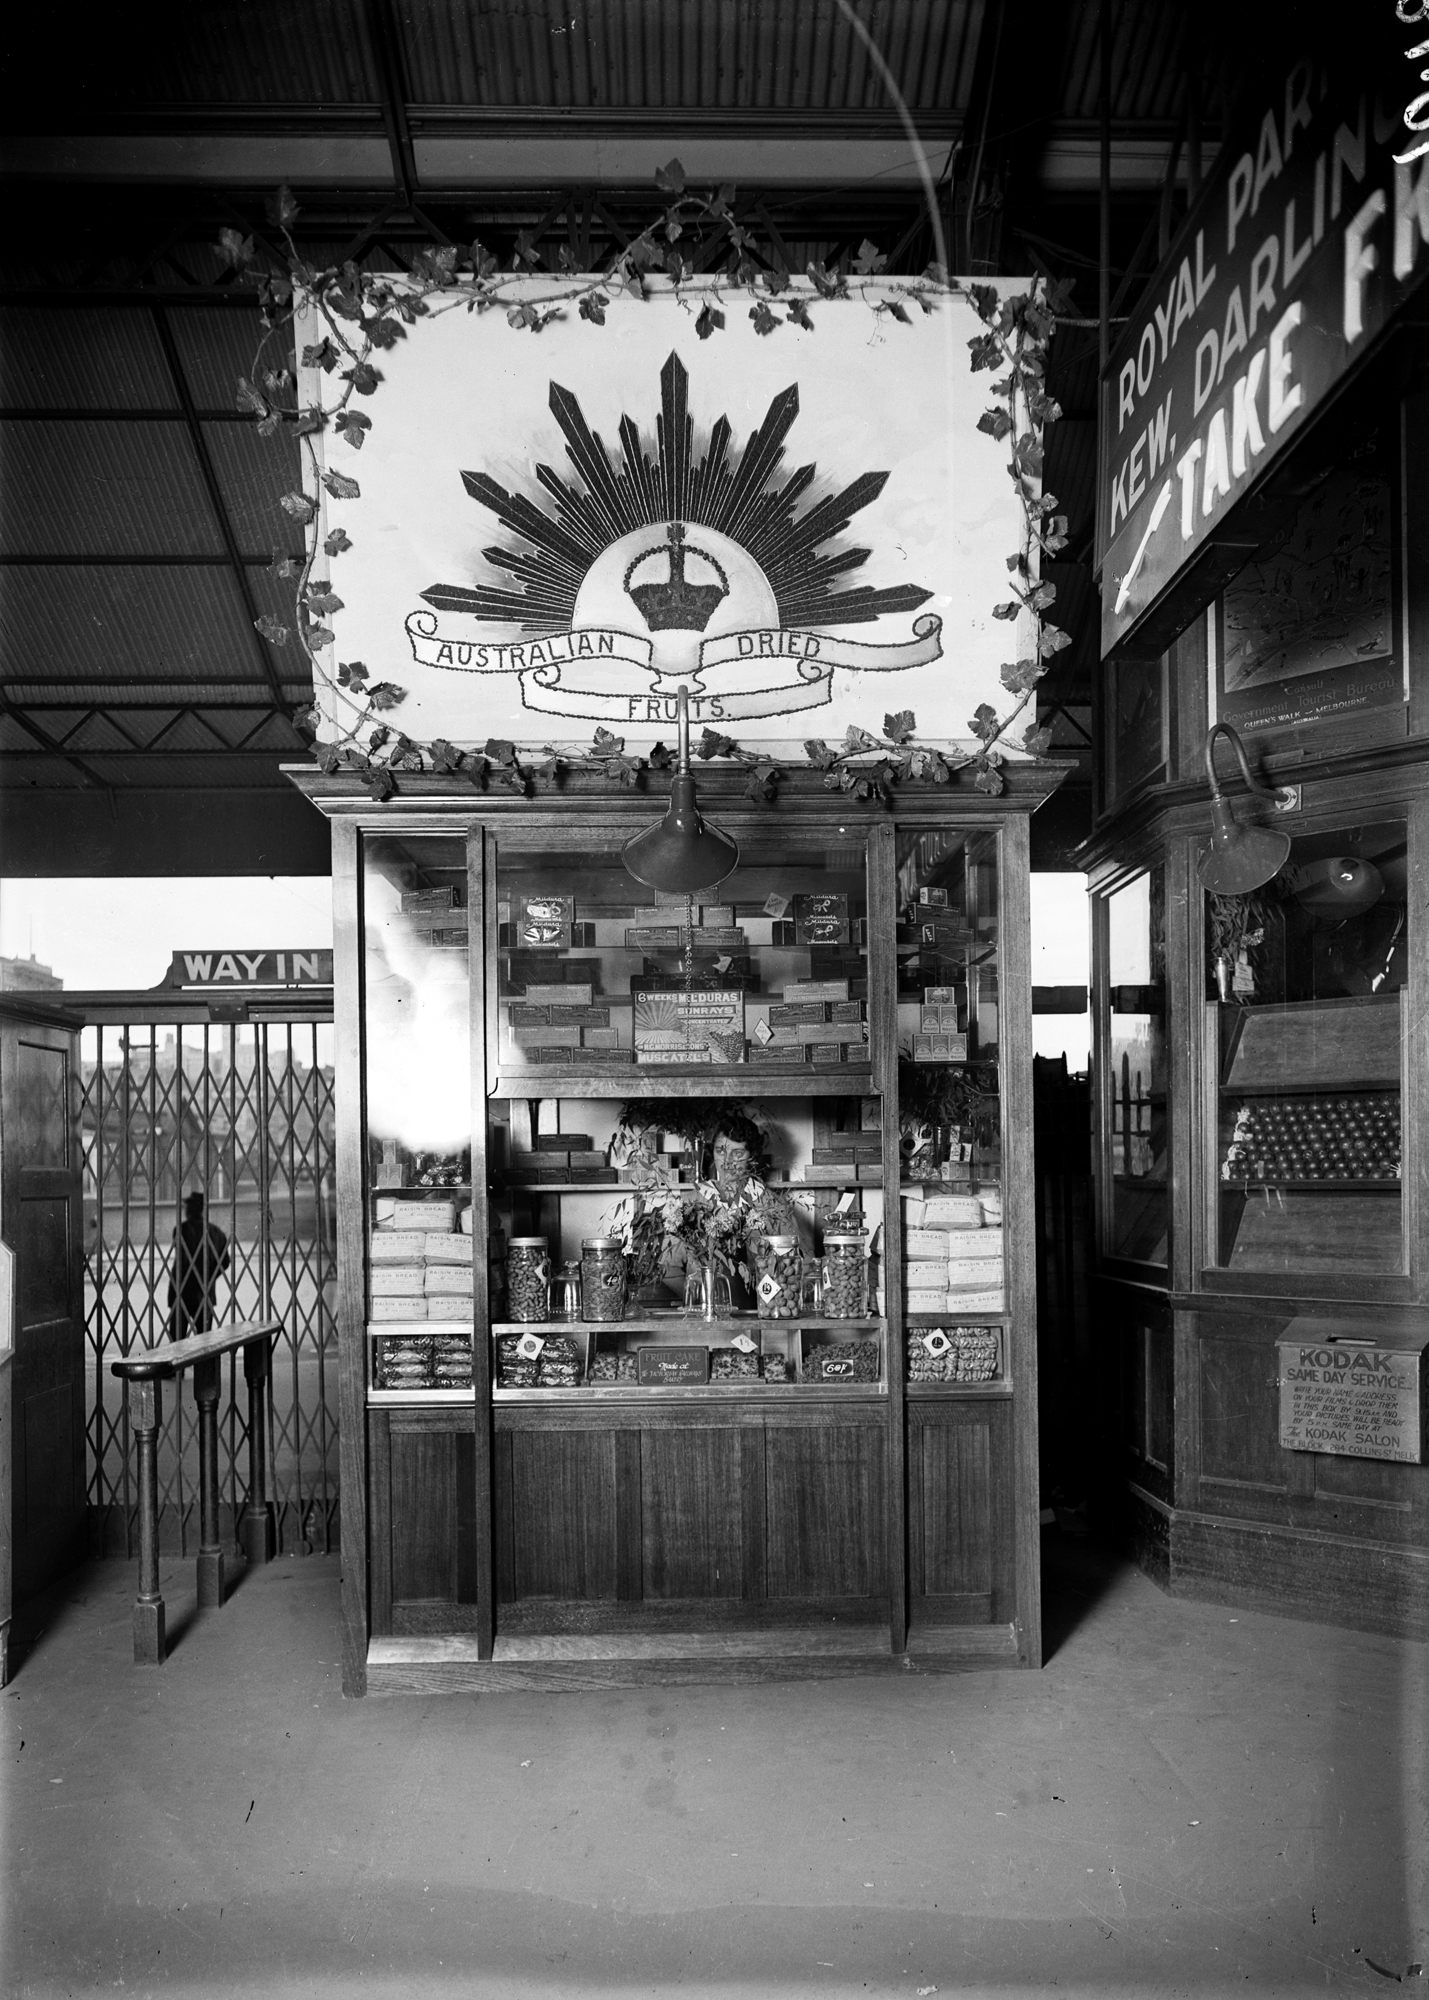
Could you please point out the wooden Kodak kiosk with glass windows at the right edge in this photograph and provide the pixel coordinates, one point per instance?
(1272, 1173)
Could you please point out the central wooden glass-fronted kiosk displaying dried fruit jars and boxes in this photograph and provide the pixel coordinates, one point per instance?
(854, 1493)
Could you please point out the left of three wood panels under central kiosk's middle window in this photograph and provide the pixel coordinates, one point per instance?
(563, 1511)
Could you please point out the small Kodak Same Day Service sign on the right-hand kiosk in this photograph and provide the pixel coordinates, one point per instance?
(1352, 1397)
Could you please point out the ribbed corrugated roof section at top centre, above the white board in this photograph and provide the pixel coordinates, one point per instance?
(798, 55)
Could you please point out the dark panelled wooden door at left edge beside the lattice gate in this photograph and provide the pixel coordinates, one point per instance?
(41, 1219)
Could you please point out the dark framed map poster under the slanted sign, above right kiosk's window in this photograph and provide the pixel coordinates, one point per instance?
(1306, 633)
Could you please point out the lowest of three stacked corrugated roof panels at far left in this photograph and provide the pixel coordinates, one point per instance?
(105, 625)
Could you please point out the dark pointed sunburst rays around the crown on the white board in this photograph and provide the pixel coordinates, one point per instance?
(730, 499)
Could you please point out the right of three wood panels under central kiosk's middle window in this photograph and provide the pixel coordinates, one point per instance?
(826, 1501)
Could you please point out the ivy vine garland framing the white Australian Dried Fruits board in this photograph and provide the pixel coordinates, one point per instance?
(365, 315)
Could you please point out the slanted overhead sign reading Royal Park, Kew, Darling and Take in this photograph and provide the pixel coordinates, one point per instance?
(1308, 239)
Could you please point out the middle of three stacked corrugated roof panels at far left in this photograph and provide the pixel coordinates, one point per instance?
(93, 489)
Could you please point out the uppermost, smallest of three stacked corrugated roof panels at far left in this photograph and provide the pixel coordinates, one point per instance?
(91, 361)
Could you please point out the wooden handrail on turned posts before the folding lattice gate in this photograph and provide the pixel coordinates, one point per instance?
(143, 1375)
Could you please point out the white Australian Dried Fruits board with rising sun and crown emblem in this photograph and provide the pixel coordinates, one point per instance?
(567, 527)
